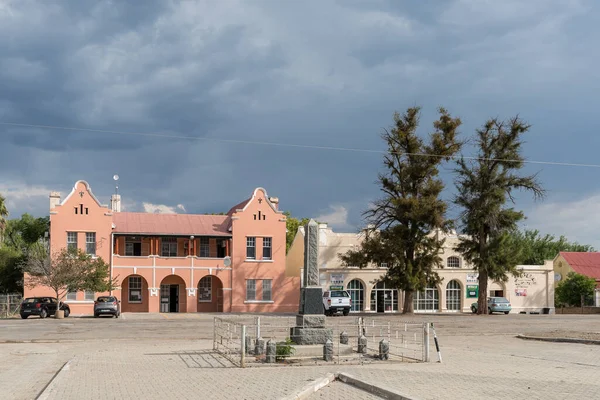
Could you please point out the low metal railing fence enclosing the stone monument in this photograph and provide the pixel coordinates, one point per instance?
(243, 341)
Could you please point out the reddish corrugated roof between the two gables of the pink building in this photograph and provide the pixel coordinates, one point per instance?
(171, 224)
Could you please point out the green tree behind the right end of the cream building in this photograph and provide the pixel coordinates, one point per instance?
(534, 248)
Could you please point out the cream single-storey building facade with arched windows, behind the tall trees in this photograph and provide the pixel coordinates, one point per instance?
(533, 291)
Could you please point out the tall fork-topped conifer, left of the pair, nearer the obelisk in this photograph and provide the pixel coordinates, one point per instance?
(402, 224)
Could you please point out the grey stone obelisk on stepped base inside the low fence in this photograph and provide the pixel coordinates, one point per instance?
(310, 321)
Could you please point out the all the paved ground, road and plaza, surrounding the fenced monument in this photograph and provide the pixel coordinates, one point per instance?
(157, 356)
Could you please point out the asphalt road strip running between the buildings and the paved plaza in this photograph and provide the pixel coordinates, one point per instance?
(200, 326)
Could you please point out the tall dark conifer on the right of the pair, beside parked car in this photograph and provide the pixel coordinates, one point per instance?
(485, 185)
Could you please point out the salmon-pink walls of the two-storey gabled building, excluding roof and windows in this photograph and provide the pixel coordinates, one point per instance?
(229, 284)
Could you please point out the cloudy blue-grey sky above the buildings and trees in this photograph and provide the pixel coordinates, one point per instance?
(314, 72)
